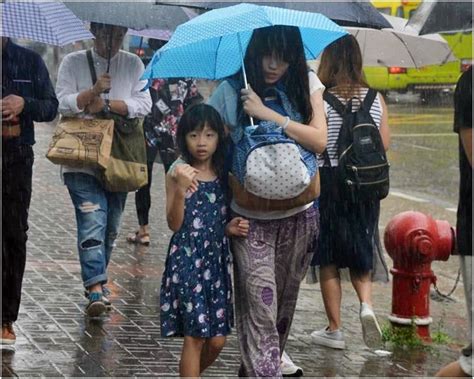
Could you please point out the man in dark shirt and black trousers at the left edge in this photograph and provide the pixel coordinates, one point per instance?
(27, 96)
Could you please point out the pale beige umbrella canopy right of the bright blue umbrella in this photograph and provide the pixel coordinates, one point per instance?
(401, 46)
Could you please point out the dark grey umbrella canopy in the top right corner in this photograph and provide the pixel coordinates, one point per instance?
(442, 16)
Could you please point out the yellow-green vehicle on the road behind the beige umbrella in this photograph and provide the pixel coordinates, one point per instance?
(425, 80)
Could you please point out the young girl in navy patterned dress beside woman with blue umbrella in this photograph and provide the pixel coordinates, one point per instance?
(196, 289)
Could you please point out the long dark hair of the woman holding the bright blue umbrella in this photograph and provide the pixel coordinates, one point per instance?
(285, 43)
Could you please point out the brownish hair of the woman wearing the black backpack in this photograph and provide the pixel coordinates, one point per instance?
(341, 67)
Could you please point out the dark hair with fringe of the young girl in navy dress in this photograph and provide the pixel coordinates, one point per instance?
(195, 118)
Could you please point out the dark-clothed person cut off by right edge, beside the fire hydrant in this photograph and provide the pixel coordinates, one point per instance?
(463, 126)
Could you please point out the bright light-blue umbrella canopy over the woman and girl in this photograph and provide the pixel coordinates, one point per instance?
(212, 45)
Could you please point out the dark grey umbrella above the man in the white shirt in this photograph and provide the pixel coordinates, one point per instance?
(136, 15)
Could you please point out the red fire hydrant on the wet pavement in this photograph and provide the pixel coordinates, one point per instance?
(413, 240)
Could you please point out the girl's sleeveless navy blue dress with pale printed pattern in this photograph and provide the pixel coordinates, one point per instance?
(196, 288)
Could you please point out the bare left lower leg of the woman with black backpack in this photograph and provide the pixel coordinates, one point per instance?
(332, 295)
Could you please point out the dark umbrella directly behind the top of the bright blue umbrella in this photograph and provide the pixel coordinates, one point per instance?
(347, 13)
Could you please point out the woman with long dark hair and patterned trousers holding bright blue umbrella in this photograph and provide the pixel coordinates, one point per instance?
(271, 262)
